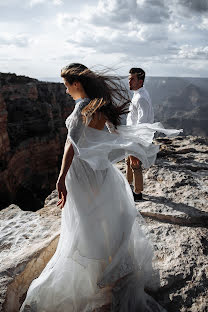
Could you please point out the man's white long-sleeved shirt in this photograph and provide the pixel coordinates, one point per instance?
(140, 109)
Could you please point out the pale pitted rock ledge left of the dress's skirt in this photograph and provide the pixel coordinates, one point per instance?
(28, 240)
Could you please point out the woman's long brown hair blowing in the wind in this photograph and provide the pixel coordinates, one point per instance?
(107, 94)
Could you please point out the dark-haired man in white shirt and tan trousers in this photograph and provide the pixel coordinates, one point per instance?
(140, 111)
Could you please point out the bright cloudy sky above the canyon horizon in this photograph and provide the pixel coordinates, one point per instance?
(164, 37)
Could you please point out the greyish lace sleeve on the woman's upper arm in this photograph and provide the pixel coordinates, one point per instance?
(74, 122)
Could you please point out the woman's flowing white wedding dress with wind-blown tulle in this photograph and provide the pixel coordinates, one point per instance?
(101, 242)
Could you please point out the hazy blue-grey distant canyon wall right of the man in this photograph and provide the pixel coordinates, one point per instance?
(180, 103)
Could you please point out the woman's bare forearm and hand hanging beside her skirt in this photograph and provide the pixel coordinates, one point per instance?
(66, 163)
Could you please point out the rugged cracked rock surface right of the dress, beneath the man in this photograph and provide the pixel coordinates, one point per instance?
(175, 208)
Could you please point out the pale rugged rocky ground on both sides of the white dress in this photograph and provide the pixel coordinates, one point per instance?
(176, 214)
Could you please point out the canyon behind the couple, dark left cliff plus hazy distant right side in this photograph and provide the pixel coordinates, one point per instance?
(33, 132)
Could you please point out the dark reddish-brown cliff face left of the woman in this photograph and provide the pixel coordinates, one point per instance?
(32, 137)
